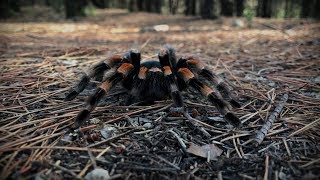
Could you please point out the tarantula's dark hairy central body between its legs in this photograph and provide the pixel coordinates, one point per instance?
(153, 85)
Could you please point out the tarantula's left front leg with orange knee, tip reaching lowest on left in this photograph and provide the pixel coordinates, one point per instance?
(122, 72)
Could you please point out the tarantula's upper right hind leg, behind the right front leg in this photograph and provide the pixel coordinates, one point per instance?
(199, 68)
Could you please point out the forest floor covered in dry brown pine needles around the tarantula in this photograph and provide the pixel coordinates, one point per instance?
(42, 58)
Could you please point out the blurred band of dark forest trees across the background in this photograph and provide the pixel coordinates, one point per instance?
(207, 9)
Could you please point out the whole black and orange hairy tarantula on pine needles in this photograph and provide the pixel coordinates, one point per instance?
(152, 80)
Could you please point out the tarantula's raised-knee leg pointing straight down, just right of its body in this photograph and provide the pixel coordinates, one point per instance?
(167, 59)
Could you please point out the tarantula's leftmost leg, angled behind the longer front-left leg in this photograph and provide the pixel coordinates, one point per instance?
(96, 71)
